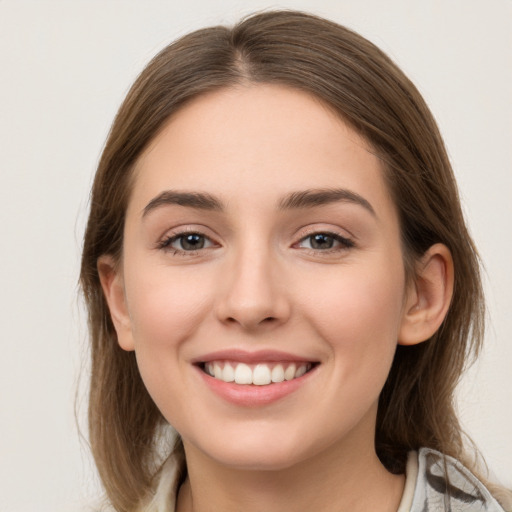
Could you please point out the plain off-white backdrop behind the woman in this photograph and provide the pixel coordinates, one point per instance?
(66, 66)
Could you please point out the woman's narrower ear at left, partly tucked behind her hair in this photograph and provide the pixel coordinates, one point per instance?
(111, 279)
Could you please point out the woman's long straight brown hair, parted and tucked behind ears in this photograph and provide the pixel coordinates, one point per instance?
(367, 89)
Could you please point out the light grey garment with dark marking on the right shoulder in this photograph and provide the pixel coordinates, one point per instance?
(443, 483)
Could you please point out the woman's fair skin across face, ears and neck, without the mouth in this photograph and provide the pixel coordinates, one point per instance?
(259, 284)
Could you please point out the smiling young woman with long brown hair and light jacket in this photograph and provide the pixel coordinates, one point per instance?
(277, 266)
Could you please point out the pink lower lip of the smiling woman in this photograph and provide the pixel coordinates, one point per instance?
(250, 395)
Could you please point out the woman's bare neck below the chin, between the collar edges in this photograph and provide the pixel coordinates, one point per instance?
(343, 478)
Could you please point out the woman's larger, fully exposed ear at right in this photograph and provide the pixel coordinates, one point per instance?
(428, 297)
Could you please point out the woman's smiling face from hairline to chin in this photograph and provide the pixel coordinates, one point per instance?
(262, 282)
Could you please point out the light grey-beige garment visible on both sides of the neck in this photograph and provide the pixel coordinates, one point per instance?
(434, 483)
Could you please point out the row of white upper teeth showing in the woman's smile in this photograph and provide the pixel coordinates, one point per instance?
(259, 374)
